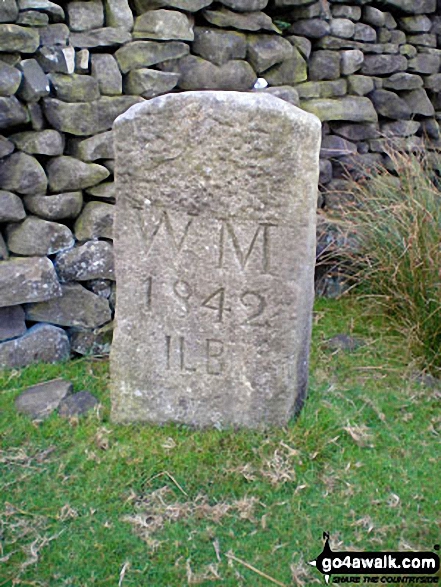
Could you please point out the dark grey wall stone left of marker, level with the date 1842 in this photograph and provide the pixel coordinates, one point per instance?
(76, 306)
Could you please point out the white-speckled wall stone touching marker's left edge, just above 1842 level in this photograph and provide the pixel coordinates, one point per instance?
(93, 260)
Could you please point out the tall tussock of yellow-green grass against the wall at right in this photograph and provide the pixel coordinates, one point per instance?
(395, 221)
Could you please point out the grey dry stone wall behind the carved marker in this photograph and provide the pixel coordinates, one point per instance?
(369, 69)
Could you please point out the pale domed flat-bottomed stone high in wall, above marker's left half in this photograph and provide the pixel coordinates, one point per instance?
(163, 25)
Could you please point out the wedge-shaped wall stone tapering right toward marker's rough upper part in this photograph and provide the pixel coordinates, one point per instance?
(69, 173)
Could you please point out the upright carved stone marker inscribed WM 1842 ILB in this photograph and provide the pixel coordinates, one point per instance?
(214, 253)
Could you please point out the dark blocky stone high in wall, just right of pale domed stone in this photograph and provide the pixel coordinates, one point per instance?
(219, 46)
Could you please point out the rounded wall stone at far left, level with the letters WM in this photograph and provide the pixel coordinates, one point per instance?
(35, 236)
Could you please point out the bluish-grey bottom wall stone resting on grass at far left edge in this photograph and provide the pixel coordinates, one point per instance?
(43, 343)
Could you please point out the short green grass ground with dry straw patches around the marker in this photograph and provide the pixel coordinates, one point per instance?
(88, 503)
